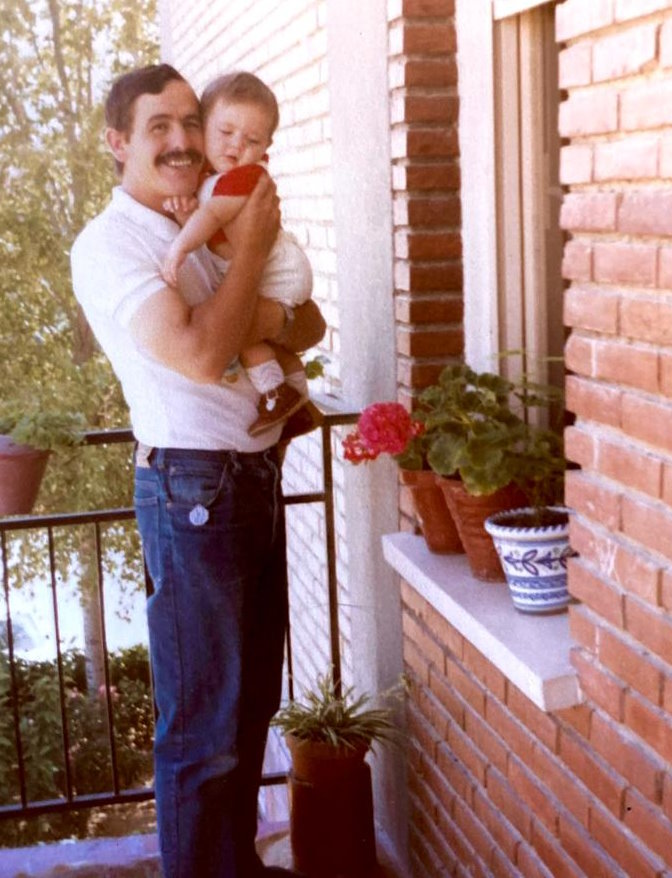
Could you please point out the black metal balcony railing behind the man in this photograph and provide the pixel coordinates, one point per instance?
(19, 804)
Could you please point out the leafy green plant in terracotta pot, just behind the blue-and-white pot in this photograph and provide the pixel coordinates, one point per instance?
(487, 442)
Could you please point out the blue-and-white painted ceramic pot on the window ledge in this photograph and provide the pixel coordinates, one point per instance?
(534, 560)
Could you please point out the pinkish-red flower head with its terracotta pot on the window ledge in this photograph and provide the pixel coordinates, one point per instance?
(388, 428)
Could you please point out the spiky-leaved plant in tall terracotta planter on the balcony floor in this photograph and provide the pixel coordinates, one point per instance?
(328, 734)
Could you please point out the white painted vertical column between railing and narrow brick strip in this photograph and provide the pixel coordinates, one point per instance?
(359, 101)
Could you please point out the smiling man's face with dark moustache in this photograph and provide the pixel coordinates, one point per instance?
(163, 153)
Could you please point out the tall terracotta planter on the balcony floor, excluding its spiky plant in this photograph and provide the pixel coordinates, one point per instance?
(331, 810)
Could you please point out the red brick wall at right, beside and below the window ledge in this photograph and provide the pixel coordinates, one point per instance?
(497, 786)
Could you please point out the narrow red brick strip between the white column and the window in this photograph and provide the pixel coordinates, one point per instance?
(426, 192)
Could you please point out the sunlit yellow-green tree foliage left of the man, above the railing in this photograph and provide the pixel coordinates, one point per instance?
(57, 59)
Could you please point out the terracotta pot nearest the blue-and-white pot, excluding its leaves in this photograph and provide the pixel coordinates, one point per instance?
(469, 513)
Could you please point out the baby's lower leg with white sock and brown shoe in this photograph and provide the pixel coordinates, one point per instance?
(278, 398)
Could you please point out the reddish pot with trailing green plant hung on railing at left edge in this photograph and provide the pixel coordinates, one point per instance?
(28, 435)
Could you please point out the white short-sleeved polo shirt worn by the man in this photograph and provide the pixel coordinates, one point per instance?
(116, 266)
